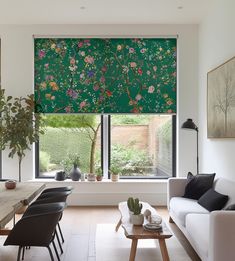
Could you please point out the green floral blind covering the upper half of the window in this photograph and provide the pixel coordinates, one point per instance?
(105, 75)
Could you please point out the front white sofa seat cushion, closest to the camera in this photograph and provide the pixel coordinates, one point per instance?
(197, 226)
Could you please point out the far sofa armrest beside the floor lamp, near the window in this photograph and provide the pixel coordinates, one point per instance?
(175, 188)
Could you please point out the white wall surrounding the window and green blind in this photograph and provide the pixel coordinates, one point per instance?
(17, 76)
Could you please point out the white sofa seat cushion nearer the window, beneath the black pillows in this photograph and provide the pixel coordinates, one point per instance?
(182, 206)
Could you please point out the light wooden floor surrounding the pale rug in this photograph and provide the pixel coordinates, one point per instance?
(79, 227)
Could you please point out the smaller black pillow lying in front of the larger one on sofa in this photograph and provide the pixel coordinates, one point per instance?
(213, 200)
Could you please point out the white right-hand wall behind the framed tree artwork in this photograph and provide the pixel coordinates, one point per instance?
(216, 45)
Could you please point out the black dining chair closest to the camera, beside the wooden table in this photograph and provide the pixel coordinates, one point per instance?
(37, 228)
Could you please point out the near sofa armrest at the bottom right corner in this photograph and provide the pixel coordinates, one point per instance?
(222, 236)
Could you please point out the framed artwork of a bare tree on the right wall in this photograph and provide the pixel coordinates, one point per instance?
(221, 101)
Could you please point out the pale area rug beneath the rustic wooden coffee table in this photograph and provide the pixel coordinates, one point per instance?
(114, 246)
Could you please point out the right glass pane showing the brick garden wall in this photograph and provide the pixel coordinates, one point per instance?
(141, 145)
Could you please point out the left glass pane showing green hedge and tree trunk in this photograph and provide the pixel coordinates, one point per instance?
(68, 137)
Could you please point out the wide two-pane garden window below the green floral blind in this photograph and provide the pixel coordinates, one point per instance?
(143, 146)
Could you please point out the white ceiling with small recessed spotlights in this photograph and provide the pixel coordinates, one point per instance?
(103, 11)
